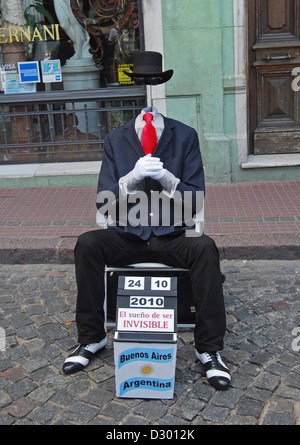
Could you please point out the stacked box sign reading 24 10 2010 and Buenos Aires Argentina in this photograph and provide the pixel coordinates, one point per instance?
(146, 341)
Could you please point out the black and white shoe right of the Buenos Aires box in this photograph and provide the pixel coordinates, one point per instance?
(217, 373)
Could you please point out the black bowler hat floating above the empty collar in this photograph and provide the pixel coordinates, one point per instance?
(147, 69)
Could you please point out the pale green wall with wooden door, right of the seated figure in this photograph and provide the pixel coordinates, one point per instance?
(235, 80)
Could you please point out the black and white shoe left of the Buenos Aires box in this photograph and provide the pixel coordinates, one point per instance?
(81, 357)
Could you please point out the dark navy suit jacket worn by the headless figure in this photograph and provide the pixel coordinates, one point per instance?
(178, 149)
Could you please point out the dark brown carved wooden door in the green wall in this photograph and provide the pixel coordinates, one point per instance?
(273, 54)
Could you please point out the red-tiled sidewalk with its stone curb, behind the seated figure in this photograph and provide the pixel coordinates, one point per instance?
(256, 220)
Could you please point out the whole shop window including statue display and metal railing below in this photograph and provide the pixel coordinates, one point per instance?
(70, 55)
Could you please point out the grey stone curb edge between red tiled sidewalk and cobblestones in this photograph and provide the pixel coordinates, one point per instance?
(231, 247)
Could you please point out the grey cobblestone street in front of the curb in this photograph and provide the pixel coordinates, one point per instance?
(37, 309)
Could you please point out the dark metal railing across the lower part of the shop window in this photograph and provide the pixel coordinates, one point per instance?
(63, 125)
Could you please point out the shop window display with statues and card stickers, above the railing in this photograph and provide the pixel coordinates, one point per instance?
(67, 44)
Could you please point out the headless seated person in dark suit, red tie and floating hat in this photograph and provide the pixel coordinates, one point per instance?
(131, 169)
